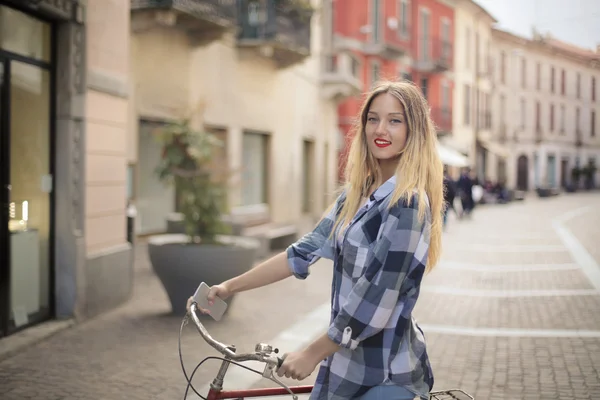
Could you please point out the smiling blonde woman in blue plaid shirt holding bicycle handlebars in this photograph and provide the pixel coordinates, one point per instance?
(383, 233)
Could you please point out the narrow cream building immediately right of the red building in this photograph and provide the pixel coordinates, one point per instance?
(471, 125)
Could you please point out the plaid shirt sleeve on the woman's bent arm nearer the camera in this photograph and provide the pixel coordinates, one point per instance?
(400, 248)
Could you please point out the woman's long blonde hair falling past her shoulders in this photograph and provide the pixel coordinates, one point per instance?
(419, 166)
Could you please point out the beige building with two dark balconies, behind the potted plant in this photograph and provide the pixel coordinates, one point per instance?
(254, 72)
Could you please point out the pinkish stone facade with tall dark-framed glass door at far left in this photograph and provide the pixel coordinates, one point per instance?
(63, 116)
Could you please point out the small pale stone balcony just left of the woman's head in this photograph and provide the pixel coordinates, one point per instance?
(340, 76)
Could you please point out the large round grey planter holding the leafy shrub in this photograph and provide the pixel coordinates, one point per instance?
(181, 266)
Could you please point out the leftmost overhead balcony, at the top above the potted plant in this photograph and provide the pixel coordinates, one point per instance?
(203, 20)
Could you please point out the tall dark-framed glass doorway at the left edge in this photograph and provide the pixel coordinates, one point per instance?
(26, 179)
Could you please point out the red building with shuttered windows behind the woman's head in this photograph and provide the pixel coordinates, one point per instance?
(410, 39)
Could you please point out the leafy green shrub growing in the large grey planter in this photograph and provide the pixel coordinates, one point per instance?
(187, 163)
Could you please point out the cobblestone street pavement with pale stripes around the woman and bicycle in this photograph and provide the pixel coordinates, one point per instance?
(512, 312)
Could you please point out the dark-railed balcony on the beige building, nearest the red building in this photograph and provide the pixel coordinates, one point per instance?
(277, 29)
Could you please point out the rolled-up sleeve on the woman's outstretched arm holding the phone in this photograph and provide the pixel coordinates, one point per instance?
(314, 245)
